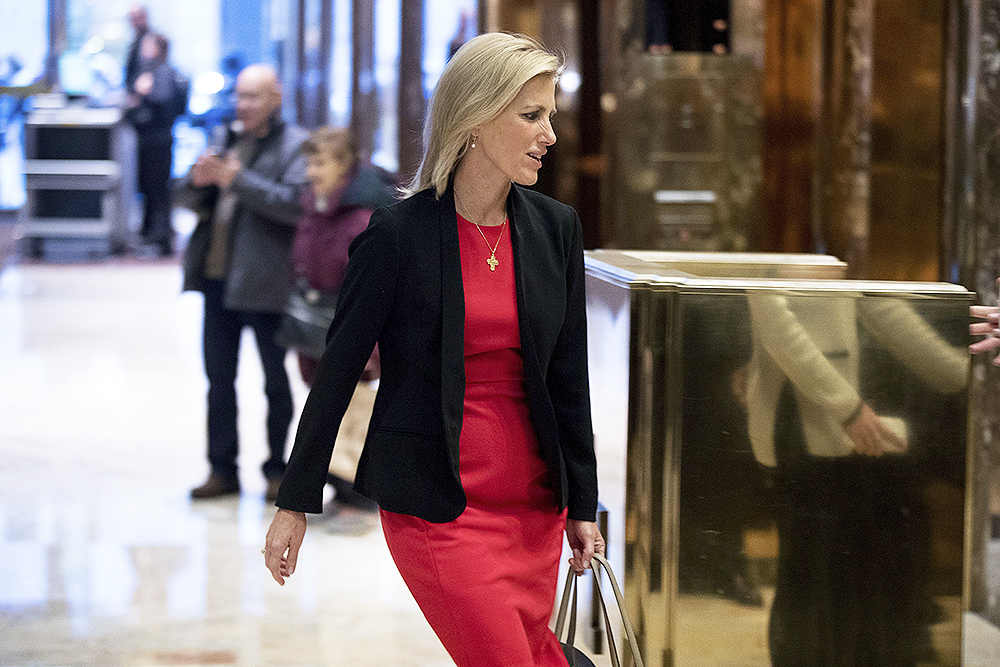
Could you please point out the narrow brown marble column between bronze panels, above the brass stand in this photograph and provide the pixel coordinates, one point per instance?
(844, 141)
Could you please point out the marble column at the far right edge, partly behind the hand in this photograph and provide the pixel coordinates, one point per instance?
(972, 205)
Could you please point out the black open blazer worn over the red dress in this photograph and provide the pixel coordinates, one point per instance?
(403, 288)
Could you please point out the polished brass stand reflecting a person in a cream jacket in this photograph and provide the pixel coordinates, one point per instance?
(745, 499)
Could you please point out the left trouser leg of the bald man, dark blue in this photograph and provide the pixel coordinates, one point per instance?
(221, 348)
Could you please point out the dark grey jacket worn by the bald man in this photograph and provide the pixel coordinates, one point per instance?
(258, 275)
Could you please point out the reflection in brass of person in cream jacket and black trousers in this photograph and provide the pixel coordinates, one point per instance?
(852, 583)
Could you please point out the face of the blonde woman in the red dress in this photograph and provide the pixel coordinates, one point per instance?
(515, 141)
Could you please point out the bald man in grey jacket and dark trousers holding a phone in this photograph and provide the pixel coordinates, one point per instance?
(246, 195)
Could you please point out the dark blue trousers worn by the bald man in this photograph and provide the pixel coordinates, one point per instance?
(221, 347)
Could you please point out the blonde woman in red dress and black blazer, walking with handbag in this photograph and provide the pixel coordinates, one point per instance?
(480, 449)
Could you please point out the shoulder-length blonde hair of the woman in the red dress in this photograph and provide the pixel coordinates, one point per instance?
(480, 81)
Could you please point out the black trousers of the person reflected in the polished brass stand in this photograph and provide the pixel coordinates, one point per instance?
(852, 551)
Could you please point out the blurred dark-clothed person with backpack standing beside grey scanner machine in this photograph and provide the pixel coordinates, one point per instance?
(158, 97)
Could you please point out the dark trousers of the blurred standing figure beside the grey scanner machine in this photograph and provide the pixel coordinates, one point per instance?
(154, 170)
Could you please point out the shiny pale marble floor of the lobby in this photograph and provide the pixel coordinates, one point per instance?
(103, 558)
